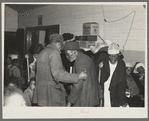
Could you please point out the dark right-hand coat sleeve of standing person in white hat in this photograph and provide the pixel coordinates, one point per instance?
(122, 85)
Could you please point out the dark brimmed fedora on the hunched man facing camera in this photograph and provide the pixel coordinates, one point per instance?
(71, 46)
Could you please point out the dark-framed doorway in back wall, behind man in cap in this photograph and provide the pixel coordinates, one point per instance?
(39, 35)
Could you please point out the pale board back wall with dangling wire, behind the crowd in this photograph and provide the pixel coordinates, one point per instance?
(72, 17)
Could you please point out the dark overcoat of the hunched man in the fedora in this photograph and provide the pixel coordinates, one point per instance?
(84, 93)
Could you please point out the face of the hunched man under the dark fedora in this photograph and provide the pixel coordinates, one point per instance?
(71, 55)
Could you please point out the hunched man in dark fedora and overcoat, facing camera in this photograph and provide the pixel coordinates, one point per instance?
(84, 93)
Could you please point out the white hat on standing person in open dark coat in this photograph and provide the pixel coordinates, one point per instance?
(113, 49)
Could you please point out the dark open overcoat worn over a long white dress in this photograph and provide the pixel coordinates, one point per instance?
(117, 86)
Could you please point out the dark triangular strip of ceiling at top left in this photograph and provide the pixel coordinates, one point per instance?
(23, 7)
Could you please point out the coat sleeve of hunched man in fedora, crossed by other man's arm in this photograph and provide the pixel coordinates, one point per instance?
(76, 90)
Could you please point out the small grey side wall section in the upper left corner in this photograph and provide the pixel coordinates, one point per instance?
(11, 19)
